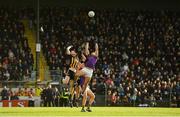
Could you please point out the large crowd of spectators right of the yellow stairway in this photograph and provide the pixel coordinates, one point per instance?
(139, 49)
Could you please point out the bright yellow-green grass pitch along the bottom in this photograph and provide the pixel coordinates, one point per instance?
(97, 111)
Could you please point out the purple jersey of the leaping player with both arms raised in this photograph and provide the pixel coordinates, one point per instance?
(91, 62)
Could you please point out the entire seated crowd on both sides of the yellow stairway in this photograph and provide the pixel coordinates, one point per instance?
(139, 49)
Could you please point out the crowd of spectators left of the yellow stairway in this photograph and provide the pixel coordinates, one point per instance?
(16, 59)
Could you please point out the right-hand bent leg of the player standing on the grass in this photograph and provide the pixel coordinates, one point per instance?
(91, 100)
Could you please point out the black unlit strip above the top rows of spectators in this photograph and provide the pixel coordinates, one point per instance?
(133, 4)
